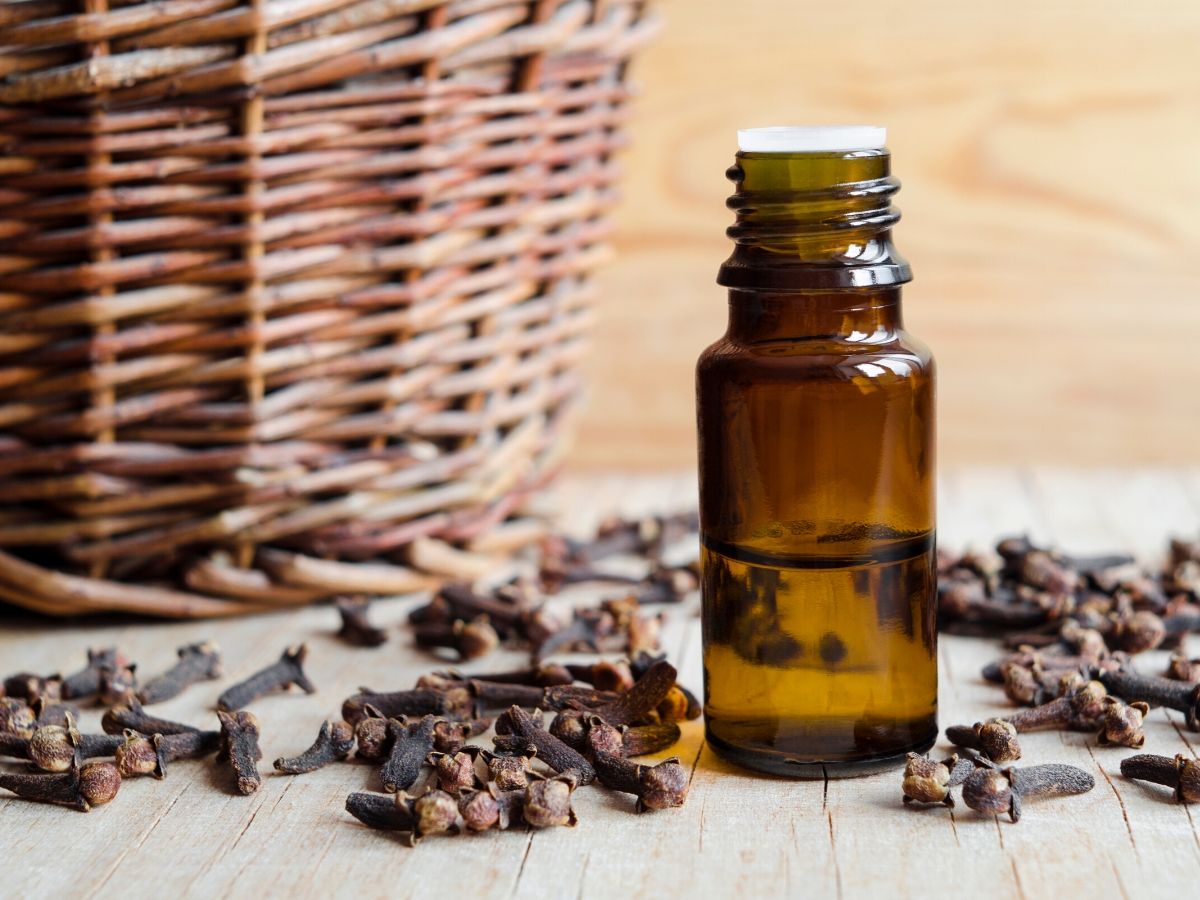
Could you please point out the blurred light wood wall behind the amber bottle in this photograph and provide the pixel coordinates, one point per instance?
(1051, 158)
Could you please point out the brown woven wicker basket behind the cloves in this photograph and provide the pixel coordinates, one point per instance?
(292, 292)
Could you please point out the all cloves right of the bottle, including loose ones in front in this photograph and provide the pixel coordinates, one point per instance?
(1072, 627)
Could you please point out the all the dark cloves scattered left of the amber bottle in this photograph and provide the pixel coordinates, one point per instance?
(559, 727)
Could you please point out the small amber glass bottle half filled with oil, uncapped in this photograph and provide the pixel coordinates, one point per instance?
(817, 471)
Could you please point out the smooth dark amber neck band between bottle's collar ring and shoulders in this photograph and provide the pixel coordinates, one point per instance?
(865, 316)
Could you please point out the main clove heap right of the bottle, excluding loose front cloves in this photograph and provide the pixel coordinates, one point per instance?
(1073, 627)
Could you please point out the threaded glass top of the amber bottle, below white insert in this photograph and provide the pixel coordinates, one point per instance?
(814, 221)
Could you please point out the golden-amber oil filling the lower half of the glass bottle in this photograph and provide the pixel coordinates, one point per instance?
(817, 663)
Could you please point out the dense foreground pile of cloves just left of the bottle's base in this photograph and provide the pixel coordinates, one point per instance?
(439, 784)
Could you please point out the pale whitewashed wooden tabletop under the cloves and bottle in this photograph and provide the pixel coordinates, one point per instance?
(739, 835)
